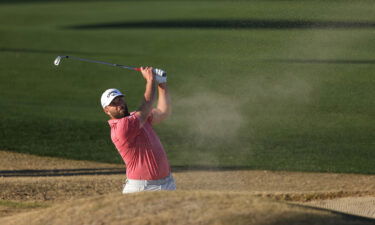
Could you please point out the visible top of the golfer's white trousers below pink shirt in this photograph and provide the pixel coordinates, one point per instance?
(132, 186)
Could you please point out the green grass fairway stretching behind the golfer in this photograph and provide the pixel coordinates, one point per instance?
(275, 98)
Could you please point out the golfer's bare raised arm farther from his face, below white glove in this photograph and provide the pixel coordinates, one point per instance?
(163, 109)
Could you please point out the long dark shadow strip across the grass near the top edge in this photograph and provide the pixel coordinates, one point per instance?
(229, 24)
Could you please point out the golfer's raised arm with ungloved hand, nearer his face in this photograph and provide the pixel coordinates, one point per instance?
(149, 97)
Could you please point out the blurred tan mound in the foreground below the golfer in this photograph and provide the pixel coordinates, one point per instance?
(178, 207)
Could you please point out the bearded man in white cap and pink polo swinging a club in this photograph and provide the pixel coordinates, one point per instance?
(147, 167)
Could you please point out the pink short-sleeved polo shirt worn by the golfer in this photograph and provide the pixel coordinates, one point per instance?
(140, 148)
